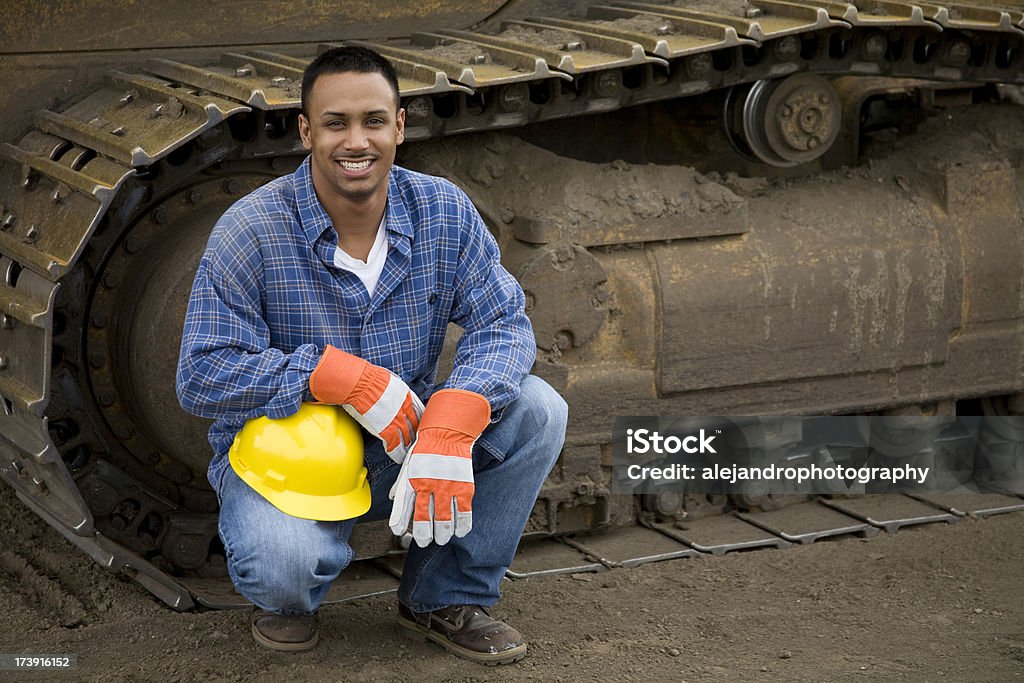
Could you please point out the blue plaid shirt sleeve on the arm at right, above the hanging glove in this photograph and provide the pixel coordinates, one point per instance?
(498, 348)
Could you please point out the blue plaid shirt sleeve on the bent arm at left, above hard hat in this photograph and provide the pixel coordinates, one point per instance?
(227, 368)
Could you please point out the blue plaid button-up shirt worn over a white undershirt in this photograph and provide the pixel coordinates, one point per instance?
(268, 300)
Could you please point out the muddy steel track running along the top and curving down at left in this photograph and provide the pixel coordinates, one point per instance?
(94, 186)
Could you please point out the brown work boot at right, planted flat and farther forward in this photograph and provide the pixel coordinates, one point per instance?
(467, 631)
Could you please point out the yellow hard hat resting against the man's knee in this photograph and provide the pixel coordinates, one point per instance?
(309, 465)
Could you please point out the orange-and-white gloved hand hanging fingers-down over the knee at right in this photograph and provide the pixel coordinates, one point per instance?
(436, 486)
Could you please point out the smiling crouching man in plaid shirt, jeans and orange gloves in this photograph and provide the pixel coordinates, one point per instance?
(335, 284)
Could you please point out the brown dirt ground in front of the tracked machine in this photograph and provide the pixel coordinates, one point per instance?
(931, 604)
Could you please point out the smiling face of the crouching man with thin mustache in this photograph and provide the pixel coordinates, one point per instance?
(353, 131)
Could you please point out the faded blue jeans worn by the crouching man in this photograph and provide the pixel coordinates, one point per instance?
(286, 565)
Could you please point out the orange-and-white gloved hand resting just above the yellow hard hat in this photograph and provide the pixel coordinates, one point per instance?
(378, 400)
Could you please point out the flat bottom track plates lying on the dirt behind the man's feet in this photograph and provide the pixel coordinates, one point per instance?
(656, 542)
